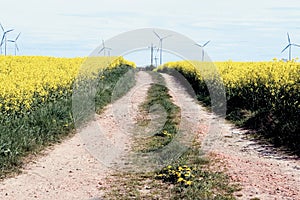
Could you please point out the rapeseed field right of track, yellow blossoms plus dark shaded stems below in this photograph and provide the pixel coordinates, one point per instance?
(261, 95)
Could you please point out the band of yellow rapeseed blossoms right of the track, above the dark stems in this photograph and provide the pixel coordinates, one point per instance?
(275, 81)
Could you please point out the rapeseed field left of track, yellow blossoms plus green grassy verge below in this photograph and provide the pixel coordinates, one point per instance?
(36, 99)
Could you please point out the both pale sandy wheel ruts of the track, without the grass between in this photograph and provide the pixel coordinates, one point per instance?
(77, 168)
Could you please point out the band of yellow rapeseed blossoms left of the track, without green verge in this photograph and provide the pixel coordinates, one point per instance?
(25, 78)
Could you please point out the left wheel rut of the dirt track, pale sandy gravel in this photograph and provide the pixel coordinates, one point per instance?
(68, 171)
